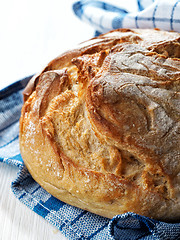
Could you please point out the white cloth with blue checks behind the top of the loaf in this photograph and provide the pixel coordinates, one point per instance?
(103, 16)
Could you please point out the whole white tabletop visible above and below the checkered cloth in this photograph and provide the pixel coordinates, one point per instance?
(31, 34)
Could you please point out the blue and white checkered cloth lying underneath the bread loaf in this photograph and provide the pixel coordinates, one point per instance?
(73, 222)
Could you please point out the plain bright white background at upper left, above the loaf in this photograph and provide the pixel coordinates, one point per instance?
(32, 32)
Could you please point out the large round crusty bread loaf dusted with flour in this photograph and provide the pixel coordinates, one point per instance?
(100, 125)
